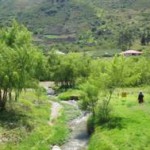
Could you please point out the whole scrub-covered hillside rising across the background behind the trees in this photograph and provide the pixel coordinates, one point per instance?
(71, 20)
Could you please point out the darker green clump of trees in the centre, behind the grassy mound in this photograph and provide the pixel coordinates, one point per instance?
(63, 70)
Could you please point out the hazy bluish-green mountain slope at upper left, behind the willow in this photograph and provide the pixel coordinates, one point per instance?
(47, 16)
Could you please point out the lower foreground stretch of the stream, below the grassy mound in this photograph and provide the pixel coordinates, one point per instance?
(78, 139)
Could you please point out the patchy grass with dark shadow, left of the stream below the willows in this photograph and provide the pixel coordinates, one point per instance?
(25, 126)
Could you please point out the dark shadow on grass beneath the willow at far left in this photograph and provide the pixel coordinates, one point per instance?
(11, 119)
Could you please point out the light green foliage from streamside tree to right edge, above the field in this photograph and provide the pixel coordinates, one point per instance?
(105, 77)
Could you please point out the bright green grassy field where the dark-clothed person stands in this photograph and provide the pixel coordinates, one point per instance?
(129, 127)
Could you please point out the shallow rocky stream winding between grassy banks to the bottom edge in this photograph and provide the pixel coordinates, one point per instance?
(79, 137)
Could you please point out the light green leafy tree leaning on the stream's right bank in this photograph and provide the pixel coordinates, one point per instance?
(105, 77)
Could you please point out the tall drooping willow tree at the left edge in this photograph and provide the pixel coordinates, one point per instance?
(17, 61)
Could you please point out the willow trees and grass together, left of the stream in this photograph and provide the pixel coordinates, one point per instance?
(24, 113)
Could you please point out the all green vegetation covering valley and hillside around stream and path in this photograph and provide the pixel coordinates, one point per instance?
(97, 82)
